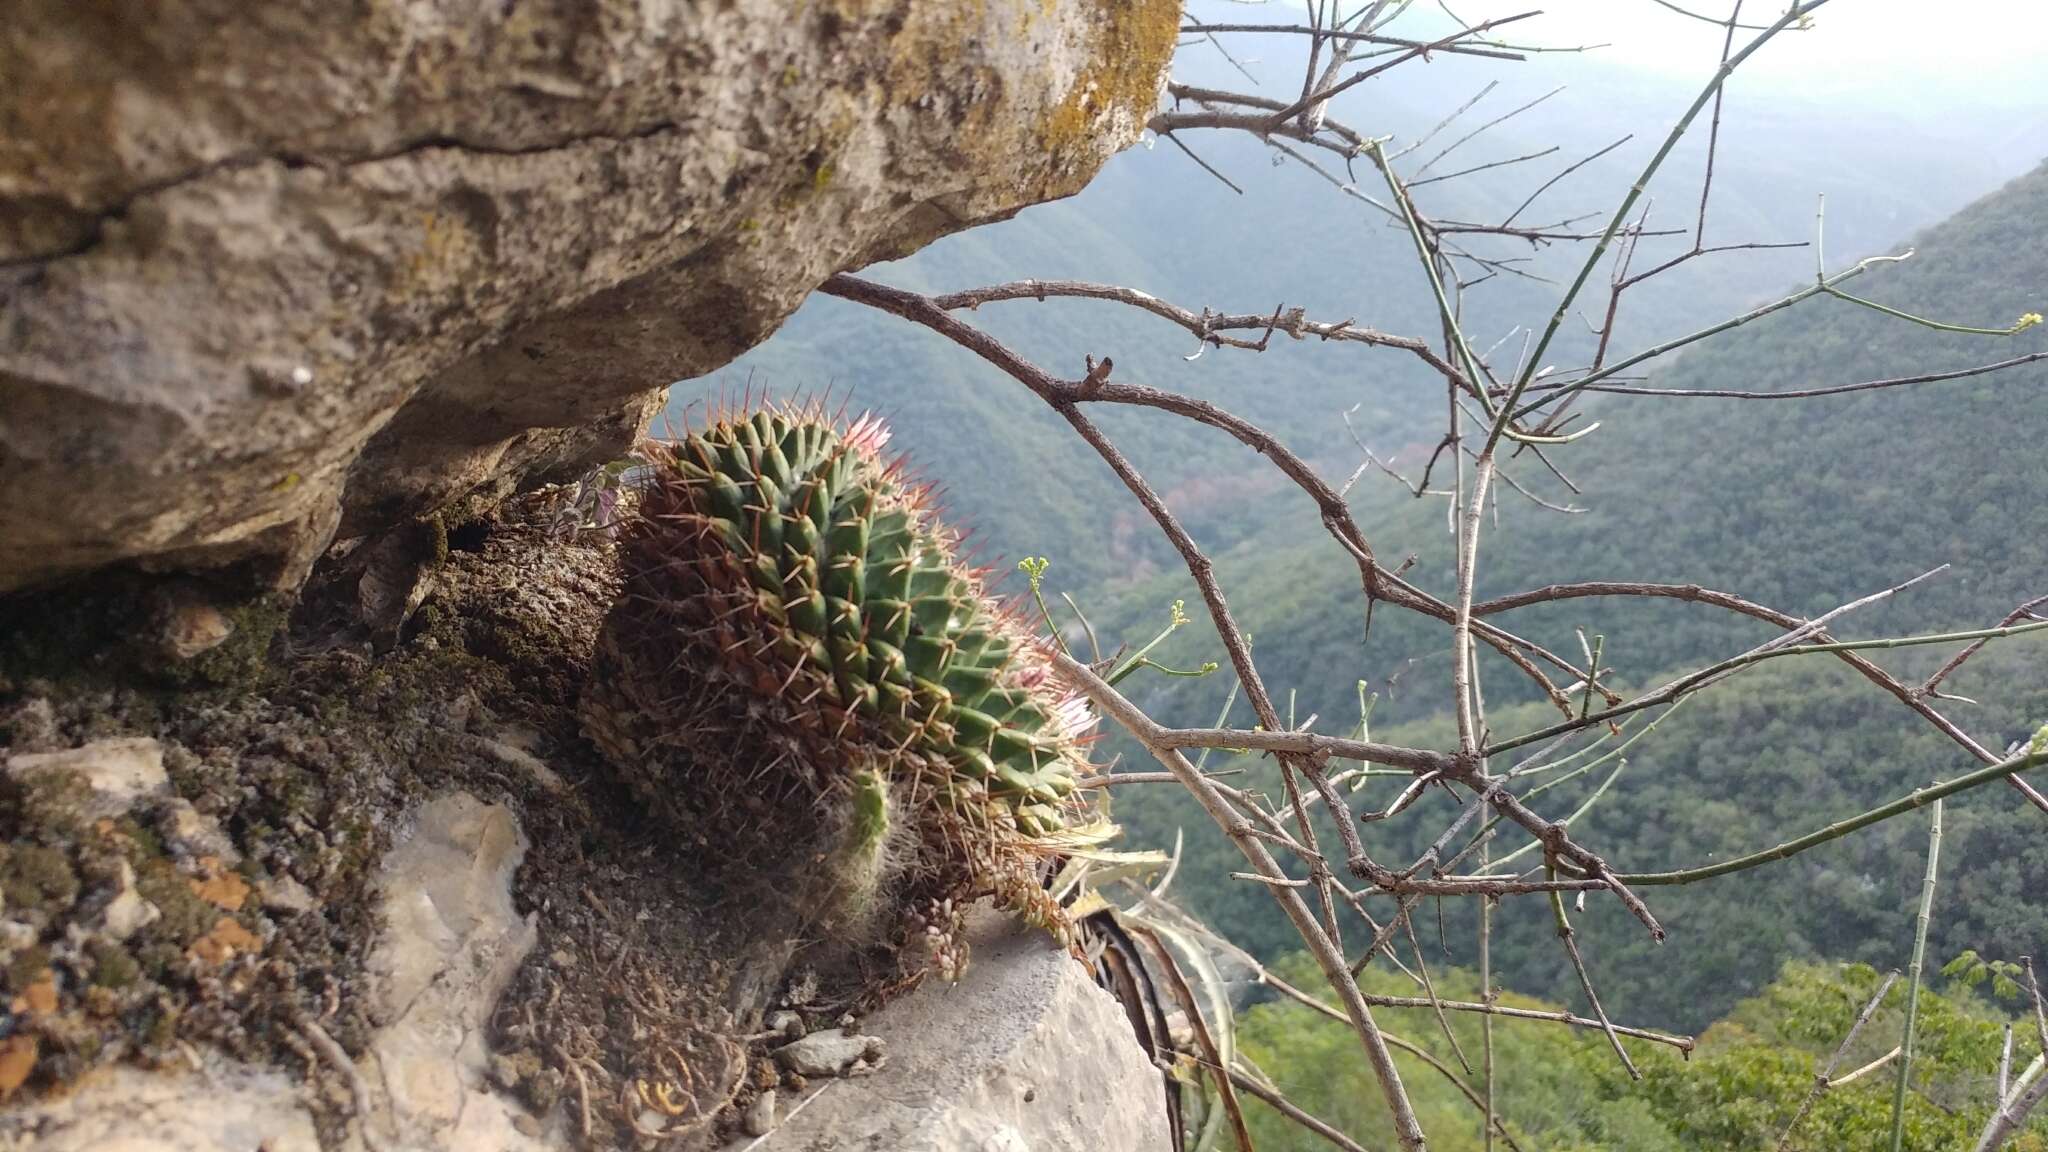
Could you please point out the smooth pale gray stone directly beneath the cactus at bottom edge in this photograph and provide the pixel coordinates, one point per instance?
(1023, 1055)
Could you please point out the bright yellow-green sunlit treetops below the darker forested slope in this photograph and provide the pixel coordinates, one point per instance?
(1740, 1092)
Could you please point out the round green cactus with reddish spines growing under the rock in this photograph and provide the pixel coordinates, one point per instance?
(800, 659)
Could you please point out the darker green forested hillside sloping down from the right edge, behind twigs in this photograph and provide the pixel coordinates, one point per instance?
(1803, 505)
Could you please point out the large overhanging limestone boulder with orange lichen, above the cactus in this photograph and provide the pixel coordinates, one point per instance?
(302, 270)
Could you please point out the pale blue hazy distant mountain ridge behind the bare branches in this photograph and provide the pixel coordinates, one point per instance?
(1160, 224)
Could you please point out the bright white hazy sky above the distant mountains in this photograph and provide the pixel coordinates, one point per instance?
(1965, 44)
